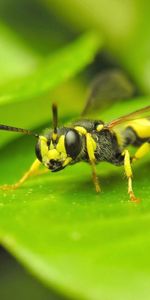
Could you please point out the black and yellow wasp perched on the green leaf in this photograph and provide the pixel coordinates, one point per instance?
(91, 141)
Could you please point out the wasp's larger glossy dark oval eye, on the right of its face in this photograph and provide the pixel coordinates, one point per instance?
(73, 143)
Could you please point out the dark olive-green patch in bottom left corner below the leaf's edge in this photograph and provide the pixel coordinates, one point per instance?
(16, 283)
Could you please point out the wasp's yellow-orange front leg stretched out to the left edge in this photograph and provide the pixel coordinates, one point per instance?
(34, 170)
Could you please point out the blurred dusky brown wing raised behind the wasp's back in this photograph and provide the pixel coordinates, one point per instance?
(108, 86)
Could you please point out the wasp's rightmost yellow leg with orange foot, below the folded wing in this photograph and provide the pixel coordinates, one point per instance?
(128, 171)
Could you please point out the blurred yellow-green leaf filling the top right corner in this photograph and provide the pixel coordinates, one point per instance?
(125, 28)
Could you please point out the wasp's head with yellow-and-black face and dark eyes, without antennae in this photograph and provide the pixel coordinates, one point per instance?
(56, 151)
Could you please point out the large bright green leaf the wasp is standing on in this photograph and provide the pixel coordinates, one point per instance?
(85, 245)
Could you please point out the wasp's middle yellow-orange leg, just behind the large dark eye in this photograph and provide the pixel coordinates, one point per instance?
(90, 150)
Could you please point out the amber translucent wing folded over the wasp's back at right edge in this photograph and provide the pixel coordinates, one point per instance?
(138, 114)
